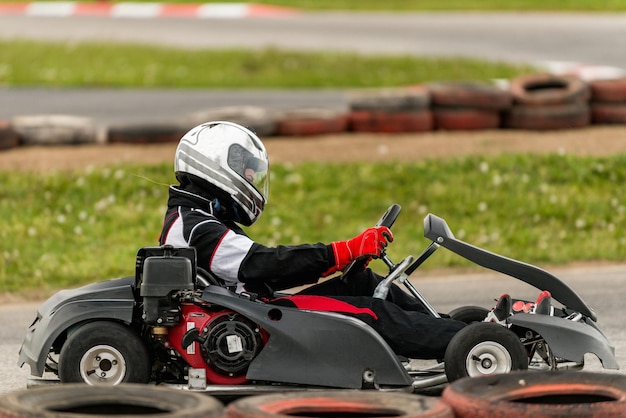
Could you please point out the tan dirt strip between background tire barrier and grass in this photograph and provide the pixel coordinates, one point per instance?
(597, 140)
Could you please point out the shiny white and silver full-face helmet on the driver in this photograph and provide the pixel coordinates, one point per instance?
(232, 159)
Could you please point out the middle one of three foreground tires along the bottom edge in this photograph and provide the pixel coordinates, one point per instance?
(338, 403)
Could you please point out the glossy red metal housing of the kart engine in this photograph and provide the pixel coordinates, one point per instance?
(194, 316)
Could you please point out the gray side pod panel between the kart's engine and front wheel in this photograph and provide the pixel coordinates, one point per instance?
(315, 348)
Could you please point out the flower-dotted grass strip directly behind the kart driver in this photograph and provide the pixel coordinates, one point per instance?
(69, 228)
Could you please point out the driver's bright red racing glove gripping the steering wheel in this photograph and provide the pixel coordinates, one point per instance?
(369, 243)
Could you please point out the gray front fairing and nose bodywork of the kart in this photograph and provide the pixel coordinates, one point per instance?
(567, 339)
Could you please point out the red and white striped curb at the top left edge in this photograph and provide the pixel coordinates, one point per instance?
(145, 10)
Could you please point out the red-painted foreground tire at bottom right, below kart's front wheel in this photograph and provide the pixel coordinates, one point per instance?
(539, 394)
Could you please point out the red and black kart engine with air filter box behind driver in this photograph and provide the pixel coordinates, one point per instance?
(222, 342)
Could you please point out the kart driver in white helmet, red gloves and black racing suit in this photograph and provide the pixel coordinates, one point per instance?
(223, 171)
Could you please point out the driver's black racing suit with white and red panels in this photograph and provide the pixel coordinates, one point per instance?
(226, 251)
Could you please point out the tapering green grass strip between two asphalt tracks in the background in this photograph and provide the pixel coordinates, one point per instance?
(24, 63)
